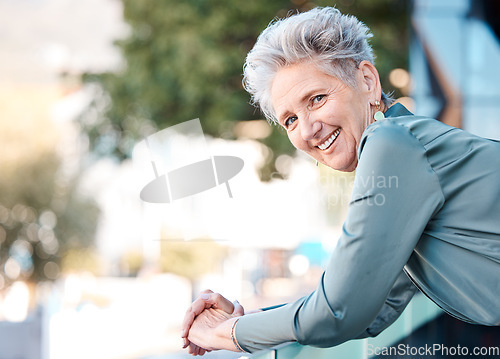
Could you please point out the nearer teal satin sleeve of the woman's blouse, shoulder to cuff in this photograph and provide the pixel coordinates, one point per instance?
(395, 194)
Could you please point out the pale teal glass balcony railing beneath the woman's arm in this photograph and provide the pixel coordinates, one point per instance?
(418, 312)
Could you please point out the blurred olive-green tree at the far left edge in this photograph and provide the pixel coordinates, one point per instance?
(41, 216)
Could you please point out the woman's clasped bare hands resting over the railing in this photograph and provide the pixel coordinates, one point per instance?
(208, 323)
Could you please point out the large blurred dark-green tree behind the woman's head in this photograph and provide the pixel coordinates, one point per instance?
(183, 60)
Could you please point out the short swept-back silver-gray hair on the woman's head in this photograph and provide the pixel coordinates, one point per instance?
(336, 43)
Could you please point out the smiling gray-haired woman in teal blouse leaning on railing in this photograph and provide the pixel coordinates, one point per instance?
(437, 230)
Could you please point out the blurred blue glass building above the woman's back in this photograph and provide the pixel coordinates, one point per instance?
(454, 57)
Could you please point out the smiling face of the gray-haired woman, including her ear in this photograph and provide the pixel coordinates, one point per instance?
(323, 116)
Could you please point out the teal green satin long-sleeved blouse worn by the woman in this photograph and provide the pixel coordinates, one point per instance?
(424, 213)
